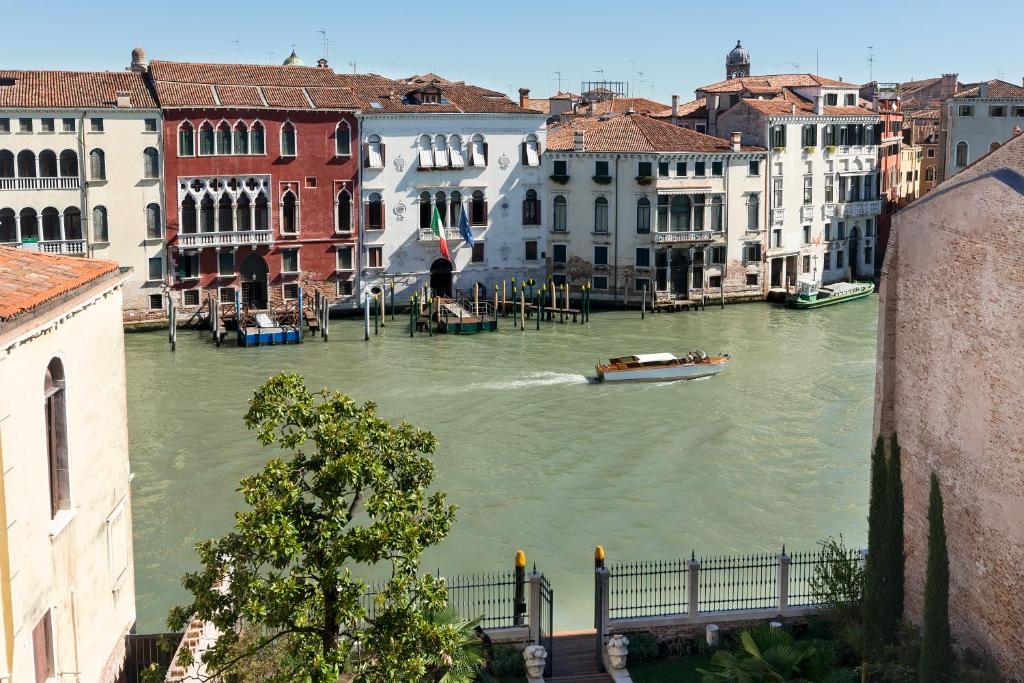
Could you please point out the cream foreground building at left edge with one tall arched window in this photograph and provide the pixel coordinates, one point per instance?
(67, 579)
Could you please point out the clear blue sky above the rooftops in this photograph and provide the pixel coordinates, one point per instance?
(507, 46)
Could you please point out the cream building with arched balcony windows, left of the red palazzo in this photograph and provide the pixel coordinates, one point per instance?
(80, 172)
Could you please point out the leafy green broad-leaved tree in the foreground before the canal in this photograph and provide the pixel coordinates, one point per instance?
(353, 495)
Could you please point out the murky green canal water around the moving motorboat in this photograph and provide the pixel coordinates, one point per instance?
(773, 452)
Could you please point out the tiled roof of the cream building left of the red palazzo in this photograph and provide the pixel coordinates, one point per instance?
(59, 90)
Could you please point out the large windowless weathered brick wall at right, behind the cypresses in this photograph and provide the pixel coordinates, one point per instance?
(951, 382)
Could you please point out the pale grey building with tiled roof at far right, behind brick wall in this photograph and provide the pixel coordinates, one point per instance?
(976, 121)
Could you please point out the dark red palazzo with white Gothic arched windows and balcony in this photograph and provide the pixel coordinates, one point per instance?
(261, 172)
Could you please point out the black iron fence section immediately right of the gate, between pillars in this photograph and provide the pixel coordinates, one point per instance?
(648, 589)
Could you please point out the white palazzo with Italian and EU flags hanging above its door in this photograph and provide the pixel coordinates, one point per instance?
(431, 144)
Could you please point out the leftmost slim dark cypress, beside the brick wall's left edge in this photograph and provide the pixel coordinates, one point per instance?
(878, 612)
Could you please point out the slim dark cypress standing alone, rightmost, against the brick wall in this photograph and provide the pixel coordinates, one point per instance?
(936, 649)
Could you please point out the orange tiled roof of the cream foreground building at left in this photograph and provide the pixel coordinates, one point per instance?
(30, 279)
